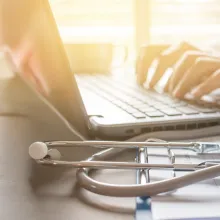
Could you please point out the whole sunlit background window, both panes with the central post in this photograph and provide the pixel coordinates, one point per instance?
(134, 22)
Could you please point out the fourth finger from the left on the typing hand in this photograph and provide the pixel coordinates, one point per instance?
(203, 67)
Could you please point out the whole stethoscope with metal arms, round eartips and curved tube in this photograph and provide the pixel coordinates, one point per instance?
(45, 153)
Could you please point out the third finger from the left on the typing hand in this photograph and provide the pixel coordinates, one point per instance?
(181, 67)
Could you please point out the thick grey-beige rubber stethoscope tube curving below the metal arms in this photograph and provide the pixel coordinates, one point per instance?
(148, 189)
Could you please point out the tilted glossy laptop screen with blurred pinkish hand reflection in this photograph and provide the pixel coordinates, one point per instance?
(33, 45)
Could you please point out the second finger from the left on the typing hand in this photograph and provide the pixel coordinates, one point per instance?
(167, 59)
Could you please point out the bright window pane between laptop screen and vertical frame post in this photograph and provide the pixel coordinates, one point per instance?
(95, 20)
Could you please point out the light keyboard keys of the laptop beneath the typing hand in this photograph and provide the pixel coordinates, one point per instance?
(138, 102)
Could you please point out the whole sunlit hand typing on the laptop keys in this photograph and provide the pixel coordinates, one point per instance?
(193, 70)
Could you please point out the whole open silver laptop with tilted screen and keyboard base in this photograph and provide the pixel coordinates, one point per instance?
(100, 105)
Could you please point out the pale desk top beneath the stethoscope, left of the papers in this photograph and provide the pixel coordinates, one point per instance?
(29, 191)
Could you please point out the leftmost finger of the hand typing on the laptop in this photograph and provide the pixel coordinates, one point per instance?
(146, 56)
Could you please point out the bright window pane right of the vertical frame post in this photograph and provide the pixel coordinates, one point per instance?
(196, 21)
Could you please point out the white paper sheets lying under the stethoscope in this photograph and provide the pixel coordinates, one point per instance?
(201, 200)
